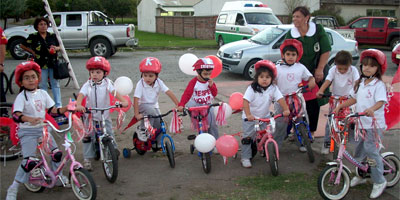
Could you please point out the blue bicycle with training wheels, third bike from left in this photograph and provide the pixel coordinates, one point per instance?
(150, 137)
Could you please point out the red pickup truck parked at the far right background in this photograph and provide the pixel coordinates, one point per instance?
(376, 30)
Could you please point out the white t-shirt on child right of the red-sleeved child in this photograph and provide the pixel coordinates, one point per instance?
(260, 102)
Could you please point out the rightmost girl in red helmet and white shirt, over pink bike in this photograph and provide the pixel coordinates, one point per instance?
(369, 95)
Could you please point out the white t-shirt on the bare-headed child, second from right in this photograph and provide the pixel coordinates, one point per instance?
(342, 84)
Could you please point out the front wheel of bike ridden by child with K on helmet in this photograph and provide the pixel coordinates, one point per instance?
(110, 162)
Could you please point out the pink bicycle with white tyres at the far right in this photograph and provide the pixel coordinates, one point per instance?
(334, 180)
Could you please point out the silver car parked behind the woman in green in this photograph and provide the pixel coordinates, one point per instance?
(240, 56)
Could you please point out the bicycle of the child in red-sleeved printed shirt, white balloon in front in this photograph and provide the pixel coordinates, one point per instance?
(197, 113)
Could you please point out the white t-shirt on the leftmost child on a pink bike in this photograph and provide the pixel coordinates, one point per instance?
(36, 105)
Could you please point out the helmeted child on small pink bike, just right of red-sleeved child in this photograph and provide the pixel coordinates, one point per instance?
(256, 102)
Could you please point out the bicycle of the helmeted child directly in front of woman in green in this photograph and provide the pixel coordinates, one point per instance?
(298, 117)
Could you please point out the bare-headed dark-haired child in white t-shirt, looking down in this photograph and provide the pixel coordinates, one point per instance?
(343, 77)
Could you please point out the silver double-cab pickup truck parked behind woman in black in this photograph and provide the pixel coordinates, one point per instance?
(80, 30)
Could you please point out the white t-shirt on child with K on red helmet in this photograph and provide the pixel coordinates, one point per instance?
(98, 96)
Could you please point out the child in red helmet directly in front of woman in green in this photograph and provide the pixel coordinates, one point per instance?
(290, 74)
